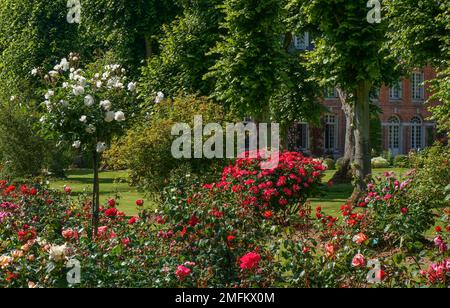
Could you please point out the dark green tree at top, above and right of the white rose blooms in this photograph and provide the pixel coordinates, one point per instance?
(129, 29)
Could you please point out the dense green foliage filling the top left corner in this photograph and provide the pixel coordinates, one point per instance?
(38, 35)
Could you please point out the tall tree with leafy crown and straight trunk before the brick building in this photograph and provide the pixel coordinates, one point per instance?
(349, 53)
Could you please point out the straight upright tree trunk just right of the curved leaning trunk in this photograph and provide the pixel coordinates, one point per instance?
(363, 165)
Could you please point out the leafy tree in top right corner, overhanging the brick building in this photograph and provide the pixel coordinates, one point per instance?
(420, 35)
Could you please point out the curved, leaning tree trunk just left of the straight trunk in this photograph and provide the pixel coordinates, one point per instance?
(345, 175)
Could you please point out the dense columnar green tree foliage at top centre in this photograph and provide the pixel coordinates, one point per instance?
(250, 56)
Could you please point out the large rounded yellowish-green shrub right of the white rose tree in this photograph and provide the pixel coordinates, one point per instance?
(146, 148)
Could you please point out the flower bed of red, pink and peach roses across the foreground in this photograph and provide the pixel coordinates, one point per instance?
(227, 233)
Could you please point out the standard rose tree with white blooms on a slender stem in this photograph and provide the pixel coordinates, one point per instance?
(87, 108)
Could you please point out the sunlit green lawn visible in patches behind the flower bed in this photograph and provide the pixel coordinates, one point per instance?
(113, 185)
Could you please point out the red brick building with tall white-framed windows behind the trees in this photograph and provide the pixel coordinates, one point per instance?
(404, 119)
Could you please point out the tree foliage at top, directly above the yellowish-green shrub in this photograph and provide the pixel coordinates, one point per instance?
(184, 46)
